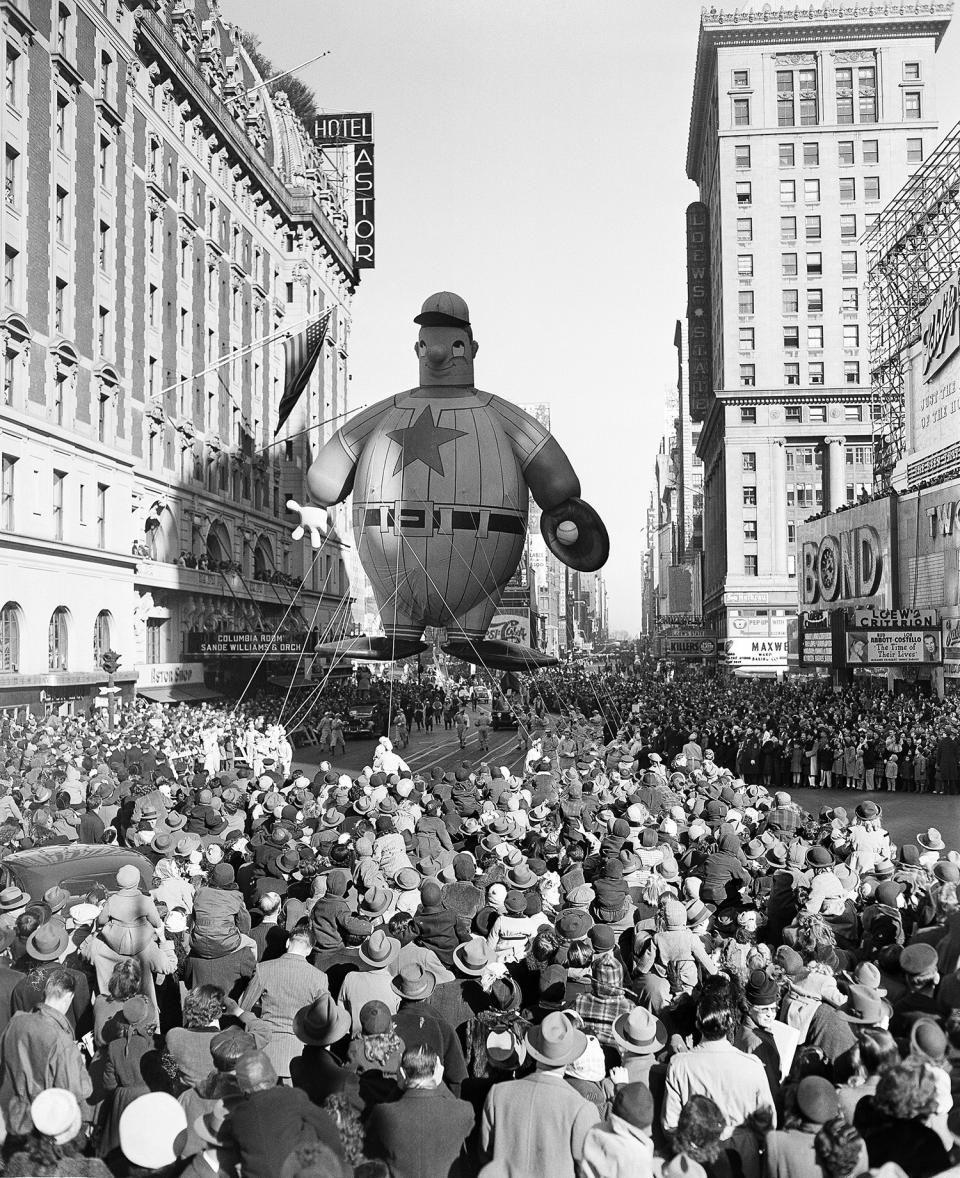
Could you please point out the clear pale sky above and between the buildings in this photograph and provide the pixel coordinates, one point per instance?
(529, 156)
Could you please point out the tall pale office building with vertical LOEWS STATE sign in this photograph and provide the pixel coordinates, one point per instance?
(805, 123)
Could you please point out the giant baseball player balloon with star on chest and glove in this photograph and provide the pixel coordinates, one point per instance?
(441, 478)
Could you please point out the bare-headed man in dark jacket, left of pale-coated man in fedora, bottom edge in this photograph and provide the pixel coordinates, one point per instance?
(425, 1134)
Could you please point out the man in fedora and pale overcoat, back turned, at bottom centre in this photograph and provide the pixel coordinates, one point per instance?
(539, 1123)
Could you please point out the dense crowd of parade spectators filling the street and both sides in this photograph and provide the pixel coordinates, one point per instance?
(637, 958)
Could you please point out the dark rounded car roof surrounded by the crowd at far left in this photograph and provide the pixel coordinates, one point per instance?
(77, 869)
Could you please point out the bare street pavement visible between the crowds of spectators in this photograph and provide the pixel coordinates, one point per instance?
(905, 816)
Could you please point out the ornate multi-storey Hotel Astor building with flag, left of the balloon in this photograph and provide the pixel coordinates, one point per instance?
(162, 211)
